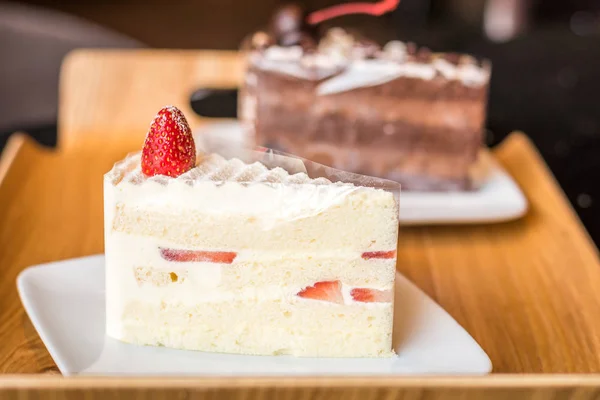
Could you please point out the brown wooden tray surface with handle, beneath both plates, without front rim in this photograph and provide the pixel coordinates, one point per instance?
(526, 290)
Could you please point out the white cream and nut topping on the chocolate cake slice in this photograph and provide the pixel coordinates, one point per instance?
(347, 66)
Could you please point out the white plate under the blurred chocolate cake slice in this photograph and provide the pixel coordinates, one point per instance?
(498, 198)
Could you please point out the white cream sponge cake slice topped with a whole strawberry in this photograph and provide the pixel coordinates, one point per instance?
(210, 253)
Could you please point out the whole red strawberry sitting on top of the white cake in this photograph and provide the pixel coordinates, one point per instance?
(169, 148)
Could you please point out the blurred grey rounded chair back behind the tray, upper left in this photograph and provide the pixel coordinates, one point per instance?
(33, 42)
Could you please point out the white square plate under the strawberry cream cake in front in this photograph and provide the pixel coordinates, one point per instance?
(65, 302)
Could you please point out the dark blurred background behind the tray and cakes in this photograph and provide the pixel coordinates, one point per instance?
(545, 55)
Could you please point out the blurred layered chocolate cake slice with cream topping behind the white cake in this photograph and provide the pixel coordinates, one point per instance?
(396, 111)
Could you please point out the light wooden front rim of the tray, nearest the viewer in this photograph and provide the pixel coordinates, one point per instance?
(490, 381)
